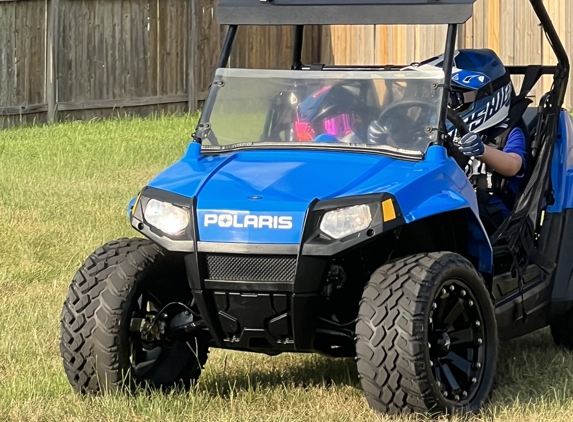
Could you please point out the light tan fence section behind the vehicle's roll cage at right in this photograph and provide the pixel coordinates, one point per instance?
(509, 27)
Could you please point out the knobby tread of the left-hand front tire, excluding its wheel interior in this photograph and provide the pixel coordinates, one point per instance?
(92, 314)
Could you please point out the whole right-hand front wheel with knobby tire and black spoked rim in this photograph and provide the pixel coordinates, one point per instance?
(426, 336)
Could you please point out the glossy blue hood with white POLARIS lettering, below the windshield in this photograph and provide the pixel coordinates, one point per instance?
(262, 196)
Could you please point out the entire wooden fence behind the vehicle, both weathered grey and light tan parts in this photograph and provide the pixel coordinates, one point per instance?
(64, 59)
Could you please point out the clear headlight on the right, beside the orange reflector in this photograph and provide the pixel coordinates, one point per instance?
(346, 221)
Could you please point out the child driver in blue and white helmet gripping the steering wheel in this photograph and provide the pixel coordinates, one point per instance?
(482, 95)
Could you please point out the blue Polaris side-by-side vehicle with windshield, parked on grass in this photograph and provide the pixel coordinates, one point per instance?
(327, 209)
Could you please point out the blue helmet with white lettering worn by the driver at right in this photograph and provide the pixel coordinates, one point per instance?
(482, 91)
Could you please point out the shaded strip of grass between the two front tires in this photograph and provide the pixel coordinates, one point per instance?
(317, 371)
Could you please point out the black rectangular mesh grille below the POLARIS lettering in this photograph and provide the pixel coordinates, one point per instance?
(228, 267)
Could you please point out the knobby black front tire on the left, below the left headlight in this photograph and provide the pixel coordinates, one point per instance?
(98, 348)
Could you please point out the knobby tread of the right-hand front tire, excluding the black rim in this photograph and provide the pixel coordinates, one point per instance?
(390, 341)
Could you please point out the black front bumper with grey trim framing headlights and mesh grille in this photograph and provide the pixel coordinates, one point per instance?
(259, 297)
